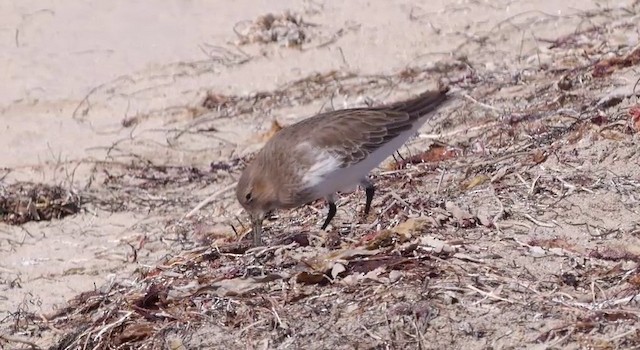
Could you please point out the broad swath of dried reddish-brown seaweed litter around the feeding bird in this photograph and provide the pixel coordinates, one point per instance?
(465, 246)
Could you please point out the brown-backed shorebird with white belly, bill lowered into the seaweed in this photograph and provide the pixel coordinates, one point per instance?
(328, 153)
